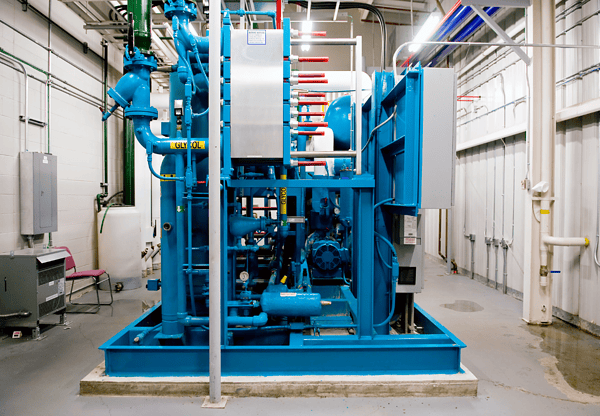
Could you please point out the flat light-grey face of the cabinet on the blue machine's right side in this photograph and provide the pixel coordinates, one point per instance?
(439, 142)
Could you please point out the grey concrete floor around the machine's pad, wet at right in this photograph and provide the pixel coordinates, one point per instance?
(522, 370)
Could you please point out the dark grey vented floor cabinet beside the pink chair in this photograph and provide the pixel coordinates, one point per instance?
(31, 280)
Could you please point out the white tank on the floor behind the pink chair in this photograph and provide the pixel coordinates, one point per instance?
(119, 245)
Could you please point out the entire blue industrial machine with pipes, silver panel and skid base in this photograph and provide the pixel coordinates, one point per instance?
(319, 267)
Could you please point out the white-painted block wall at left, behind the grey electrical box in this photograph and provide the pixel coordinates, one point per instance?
(75, 132)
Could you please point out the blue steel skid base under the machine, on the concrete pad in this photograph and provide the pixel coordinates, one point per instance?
(436, 351)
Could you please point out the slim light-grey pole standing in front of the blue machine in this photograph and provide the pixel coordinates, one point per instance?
(214, 198)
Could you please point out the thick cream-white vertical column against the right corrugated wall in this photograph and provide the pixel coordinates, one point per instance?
(537, 290)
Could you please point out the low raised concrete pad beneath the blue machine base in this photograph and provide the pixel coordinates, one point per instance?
(97, 383)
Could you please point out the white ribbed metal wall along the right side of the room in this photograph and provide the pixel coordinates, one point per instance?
(500, 79)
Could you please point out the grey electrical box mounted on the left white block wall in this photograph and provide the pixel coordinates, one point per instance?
(38, 193)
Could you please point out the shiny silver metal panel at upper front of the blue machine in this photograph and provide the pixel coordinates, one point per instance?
(257, 94)
